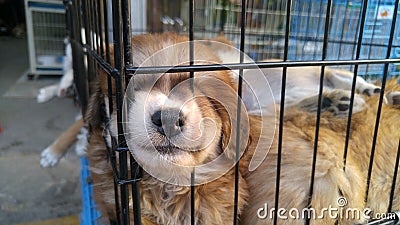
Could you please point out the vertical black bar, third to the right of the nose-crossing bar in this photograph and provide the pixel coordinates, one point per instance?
(321, 83)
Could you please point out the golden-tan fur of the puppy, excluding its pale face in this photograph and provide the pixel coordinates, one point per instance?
(164, 203)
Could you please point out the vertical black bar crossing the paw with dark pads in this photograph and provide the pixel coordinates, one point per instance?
(353, 85)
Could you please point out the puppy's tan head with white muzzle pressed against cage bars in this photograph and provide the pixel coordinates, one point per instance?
(175, 122)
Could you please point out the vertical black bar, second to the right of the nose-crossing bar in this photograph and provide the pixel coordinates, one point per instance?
(282, 110)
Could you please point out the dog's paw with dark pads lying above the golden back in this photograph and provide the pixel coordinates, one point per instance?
(338, 102)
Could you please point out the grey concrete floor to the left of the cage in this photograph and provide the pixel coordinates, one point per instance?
(27, 191)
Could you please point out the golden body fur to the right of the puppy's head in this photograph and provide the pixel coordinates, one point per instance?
(331, 181)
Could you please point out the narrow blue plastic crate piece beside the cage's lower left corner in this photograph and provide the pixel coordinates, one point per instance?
(89, 214)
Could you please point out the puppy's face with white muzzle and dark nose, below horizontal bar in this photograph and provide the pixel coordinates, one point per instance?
(171, 124)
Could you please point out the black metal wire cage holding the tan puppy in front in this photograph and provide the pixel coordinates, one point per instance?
(356, 35)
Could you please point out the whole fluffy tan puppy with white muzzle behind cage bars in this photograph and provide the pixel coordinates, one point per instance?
(164, 127)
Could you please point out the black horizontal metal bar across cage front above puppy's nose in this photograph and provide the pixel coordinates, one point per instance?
(236, 66)
